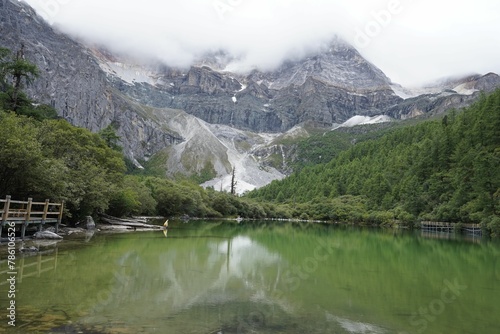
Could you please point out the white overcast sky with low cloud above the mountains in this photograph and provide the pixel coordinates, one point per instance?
(412, 41)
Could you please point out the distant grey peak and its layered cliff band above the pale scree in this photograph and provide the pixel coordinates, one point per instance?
(328, 87)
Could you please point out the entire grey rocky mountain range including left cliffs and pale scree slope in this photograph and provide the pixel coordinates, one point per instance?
(211, 118)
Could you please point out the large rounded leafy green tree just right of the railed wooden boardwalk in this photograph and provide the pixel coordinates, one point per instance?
(90, 170)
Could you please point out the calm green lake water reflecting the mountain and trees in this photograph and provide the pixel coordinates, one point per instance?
(207, 277)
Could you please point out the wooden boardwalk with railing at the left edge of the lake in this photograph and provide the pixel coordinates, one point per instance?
(25, 213)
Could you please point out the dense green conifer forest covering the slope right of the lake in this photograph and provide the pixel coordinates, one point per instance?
(446, 170)
